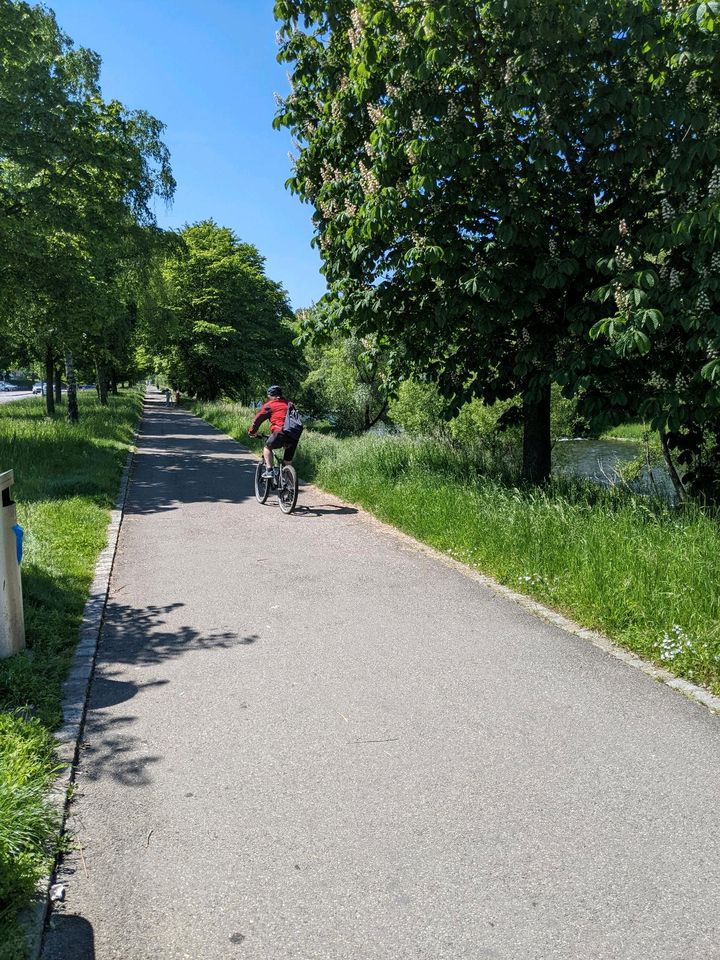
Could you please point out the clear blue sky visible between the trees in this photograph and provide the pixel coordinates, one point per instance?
(207, 69)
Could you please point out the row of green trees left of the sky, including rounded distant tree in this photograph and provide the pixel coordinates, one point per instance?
(88, 280)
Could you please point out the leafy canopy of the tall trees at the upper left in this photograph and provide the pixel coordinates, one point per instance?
(78, 176)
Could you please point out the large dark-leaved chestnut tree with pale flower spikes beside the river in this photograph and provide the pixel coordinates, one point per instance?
(511, 196)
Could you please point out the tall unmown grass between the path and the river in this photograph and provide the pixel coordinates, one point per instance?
(642, 572)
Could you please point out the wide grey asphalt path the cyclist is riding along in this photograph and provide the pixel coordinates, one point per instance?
(309, 740)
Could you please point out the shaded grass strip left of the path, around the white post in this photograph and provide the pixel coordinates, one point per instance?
(66, 480)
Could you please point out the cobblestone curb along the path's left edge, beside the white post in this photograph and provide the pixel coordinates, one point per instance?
(76, 691)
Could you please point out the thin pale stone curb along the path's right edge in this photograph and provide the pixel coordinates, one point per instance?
(692, 691)
